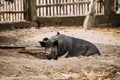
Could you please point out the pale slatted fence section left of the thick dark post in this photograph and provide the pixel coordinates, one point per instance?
(12, 12)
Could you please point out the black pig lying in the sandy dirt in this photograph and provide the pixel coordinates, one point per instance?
(60, 44)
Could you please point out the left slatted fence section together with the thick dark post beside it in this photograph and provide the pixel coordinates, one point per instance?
(18, 11)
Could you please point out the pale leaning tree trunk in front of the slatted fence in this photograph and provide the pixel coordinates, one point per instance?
(89, 20)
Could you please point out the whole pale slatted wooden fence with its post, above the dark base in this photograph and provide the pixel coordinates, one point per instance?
(22, 10)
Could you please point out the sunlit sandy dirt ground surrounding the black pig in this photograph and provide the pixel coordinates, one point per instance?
(17, 66)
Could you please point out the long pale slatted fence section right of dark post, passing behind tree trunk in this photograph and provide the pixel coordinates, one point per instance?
(51, 8)
